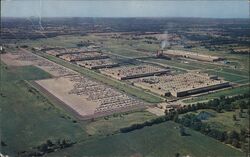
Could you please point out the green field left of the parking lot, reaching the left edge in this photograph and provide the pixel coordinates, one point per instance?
(27, 118)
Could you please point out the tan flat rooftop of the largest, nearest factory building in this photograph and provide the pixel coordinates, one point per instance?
(174, 84)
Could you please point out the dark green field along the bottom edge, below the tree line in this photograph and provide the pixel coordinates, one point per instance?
(162, 140)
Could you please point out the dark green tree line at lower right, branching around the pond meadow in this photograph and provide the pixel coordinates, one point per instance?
(238, 140)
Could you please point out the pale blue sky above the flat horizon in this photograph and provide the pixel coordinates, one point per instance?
(126, 8)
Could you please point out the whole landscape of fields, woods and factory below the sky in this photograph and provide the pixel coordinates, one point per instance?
(124, 87)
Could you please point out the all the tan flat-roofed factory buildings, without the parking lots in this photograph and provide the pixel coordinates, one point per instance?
(156, 79)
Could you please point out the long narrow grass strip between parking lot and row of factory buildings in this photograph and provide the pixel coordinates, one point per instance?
(134, 91)
